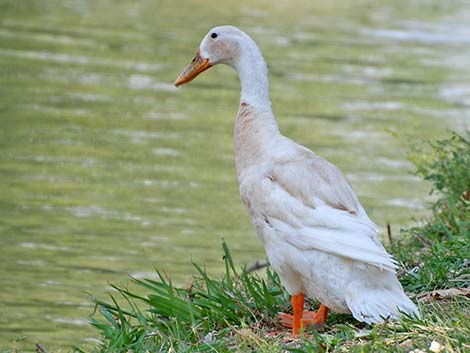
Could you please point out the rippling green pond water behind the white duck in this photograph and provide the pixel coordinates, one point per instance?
(107, 170)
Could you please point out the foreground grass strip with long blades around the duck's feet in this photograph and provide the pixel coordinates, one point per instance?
(238, 313)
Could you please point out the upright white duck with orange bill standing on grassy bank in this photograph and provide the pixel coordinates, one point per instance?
(316, 234)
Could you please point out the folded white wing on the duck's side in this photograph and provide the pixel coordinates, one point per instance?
(310, 199)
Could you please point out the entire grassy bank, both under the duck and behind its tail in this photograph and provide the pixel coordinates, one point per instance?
(237, 313)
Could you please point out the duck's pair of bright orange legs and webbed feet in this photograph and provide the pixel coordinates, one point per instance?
(302, 318)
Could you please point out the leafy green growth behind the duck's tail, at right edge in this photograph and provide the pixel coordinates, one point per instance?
(437, 254)
